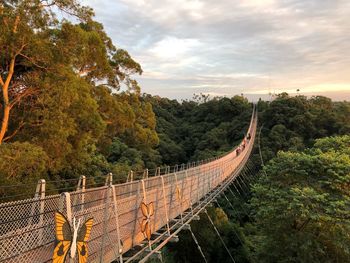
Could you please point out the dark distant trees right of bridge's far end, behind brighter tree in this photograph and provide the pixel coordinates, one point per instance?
(295, 122)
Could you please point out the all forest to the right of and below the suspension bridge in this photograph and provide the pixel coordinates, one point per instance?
(298, 206)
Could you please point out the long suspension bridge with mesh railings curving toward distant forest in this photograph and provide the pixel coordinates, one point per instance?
(132, 221)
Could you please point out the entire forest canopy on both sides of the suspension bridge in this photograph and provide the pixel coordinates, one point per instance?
(70, 106)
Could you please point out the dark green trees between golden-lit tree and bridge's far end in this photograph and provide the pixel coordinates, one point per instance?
(199, 130)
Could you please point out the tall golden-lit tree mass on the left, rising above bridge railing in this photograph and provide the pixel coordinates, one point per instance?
(65, 96)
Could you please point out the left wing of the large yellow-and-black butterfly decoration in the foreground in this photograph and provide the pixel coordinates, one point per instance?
(63, 236)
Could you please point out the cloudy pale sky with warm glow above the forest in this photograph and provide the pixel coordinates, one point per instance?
(229, 47)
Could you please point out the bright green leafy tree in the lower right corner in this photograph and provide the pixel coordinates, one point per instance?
(301, 209)
